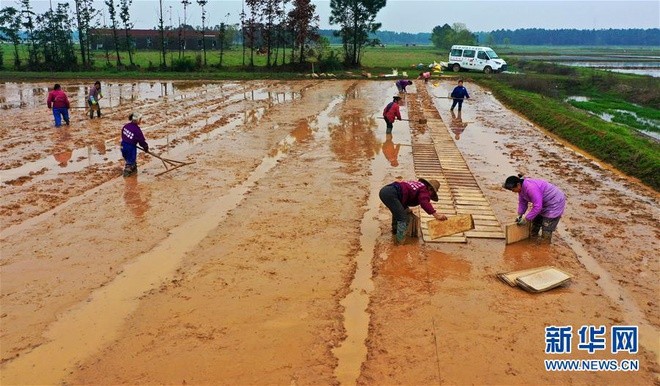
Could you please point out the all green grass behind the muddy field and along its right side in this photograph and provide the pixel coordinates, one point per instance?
(538, 93)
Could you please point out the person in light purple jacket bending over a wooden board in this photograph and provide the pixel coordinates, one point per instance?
(548, 203)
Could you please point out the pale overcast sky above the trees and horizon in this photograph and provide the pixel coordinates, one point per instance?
(422, 16)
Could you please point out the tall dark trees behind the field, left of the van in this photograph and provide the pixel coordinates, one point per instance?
(285, 31)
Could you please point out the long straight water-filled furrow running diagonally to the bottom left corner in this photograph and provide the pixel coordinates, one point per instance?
(79, 333)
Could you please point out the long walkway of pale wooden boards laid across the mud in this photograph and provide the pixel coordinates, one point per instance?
(436, 156)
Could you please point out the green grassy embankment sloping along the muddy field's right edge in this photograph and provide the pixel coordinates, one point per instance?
(541, 98)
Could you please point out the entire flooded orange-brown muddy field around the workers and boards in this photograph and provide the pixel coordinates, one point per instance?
(269, 260)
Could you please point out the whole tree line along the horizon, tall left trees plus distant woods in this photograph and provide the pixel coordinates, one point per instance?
(285, 31)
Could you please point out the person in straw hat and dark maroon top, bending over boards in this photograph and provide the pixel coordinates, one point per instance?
(399, 196)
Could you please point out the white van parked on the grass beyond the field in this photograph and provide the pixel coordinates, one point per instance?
(475, 58)
